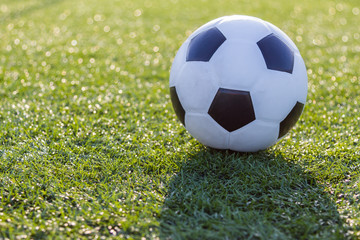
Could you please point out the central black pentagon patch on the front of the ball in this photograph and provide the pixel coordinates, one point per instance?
(232, 109)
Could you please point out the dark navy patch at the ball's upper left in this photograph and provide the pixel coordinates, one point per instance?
(204, 45)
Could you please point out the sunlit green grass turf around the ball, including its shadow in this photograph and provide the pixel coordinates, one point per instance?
(91, 148)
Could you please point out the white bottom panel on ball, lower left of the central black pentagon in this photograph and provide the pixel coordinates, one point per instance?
(206, 130)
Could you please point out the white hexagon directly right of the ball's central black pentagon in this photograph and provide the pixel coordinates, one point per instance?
(274, 96)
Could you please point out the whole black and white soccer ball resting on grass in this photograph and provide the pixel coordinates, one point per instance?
(238, 83)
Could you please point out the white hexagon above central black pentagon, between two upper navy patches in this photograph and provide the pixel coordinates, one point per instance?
(238, 64)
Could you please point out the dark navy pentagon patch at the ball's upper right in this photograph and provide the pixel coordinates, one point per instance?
(278, 56)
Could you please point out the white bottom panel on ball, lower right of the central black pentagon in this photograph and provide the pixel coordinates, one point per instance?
(255, 136)
